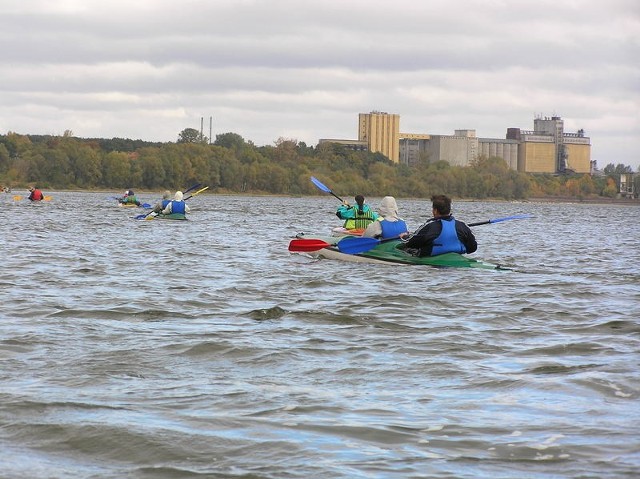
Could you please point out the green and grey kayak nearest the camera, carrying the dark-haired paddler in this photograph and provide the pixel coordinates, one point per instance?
(388, 252)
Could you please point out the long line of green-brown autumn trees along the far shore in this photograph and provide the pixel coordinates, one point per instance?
(231, 164)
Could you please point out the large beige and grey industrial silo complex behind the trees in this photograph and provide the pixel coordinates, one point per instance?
(545, 149)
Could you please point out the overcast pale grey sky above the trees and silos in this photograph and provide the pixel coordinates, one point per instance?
(304, 69)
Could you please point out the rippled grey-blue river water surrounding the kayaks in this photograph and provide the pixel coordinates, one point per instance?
(204, 349)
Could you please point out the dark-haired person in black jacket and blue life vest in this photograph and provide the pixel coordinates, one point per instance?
(442, 233)
